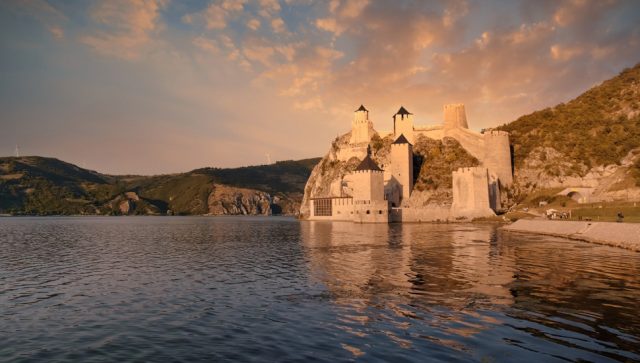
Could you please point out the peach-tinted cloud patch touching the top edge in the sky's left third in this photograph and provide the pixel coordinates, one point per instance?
(129, 25)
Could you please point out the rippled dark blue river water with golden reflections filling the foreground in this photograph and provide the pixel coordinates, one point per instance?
(276, 289)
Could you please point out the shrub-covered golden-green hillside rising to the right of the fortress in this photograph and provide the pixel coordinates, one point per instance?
(597, 128)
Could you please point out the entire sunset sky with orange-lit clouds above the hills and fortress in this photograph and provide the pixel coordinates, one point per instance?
(164, 86)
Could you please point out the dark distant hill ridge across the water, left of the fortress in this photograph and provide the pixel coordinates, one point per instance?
(35, 185)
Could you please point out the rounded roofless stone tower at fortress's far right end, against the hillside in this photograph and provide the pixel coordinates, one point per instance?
(497, 155)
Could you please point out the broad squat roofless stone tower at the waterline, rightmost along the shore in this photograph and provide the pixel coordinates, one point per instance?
(471, 193)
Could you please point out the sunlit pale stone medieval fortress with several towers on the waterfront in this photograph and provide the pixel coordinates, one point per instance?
(375, 193)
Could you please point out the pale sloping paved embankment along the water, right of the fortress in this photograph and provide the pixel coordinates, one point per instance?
(625, 235)
